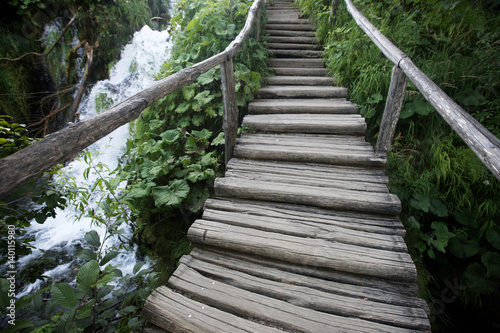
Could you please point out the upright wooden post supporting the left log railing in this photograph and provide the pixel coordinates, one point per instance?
(230, 117)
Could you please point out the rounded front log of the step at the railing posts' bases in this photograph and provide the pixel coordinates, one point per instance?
(309, 155)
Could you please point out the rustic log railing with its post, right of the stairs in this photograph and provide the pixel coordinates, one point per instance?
(484, 144)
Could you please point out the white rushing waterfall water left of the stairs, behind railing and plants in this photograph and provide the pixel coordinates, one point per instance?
(63, 235)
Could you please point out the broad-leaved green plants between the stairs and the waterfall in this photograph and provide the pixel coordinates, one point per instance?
(158, 189)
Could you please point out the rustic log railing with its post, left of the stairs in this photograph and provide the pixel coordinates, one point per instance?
(29, 162)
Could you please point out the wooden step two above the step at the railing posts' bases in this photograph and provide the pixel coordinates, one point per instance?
(334, 106)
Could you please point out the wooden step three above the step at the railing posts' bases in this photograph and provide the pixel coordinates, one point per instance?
(301, 91)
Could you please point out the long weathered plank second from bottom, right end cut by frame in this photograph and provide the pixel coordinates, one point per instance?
(245, 303)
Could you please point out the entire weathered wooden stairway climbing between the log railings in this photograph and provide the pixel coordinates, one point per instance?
(303, 235)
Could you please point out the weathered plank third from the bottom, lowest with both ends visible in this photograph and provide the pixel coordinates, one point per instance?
(312, 298)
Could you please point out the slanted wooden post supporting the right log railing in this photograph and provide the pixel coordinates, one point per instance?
(395, 97)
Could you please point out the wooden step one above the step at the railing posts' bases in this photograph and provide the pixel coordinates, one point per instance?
(347, 124)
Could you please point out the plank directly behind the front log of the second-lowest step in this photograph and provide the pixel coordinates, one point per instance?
(309, 229)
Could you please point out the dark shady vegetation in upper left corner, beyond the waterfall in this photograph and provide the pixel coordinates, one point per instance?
(38, 79)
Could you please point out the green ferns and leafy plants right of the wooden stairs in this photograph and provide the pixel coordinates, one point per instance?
(450, 200)
